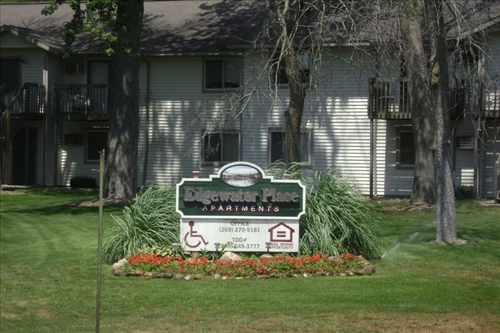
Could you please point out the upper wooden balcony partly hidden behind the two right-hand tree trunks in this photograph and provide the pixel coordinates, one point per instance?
(389, 99)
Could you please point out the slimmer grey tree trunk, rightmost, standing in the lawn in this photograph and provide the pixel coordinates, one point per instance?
(439, 86)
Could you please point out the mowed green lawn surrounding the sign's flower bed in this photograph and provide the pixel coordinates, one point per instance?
(49, 278)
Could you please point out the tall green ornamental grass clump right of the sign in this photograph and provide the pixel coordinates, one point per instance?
(338, 218)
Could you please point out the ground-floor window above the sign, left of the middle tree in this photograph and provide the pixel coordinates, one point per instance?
(221, 147)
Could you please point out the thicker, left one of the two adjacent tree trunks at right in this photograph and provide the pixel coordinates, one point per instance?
(424, 186)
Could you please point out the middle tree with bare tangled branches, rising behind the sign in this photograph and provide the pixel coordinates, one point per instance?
(293, 34)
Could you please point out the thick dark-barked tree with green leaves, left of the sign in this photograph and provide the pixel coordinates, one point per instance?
(119, 23)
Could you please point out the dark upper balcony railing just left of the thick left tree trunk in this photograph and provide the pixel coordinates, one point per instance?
(80, 101)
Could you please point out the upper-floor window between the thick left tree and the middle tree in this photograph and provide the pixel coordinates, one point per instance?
(222, 74)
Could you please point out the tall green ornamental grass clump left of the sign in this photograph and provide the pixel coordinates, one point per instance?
(149, 222)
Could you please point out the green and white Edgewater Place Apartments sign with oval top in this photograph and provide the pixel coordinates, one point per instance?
(240, 209)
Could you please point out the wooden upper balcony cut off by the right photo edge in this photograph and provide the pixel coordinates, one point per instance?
(489, 97)
